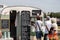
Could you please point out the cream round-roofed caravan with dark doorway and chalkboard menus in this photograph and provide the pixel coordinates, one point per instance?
(16, 20)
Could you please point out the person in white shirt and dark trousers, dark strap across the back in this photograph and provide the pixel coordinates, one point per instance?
(47, 27)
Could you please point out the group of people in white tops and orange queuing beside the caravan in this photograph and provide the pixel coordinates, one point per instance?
(48, 31)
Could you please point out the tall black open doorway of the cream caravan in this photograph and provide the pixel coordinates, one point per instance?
(12, 23)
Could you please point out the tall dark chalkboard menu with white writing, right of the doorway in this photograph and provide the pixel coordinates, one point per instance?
(25, 28)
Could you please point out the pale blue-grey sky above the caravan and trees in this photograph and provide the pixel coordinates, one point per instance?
(45, 5)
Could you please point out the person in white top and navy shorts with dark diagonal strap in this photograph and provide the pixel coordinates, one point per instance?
(38, 25)
